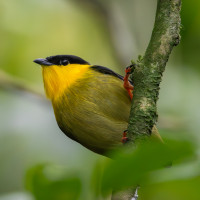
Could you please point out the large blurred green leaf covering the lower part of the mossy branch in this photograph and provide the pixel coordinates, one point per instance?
(132, 168)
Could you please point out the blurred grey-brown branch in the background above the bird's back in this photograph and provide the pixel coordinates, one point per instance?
(118, 34)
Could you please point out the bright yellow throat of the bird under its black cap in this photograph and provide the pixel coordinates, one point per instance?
(58, 78)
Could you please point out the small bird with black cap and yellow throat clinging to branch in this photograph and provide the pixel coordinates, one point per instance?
(91, 103)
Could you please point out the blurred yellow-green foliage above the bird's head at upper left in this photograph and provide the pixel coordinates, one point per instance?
(30, 29)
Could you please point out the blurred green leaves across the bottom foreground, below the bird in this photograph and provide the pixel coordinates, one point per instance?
(146, 166)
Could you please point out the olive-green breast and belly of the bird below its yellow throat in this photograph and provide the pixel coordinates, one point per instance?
(94, 116)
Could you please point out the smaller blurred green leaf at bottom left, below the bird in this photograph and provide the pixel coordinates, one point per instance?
(51, 185)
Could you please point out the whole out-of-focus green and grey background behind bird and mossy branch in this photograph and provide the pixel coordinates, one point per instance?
(108, 33)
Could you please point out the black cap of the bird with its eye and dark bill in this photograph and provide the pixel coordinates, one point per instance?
(60, 60)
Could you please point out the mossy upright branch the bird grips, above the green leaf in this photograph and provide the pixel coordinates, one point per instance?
(149, 70)
